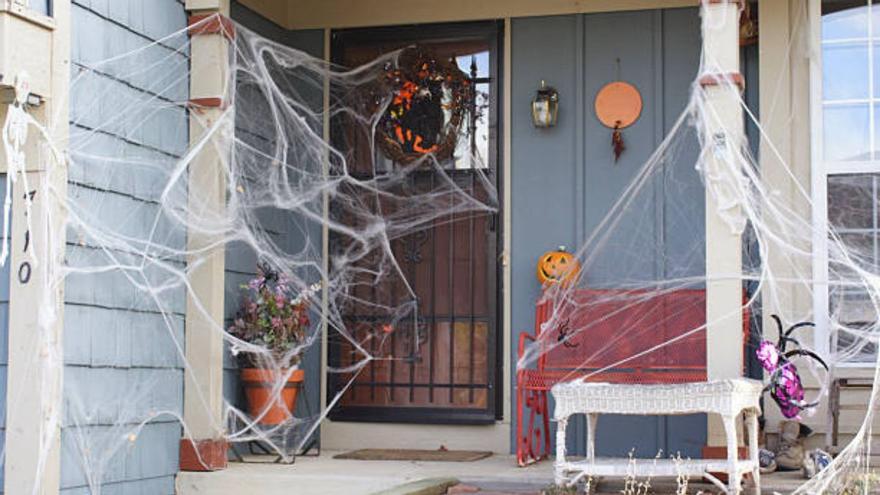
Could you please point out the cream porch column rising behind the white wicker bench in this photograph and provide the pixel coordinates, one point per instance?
(723, 135)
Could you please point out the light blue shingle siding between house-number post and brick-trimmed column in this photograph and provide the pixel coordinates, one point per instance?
(122, 346)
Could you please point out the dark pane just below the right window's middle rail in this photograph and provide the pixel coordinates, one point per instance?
(851, 201)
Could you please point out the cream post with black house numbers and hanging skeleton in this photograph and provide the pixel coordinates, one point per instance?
(38, 69)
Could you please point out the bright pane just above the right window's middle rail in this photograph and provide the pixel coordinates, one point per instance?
(846, 132)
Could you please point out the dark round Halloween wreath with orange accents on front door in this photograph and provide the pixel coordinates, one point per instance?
(429, 100)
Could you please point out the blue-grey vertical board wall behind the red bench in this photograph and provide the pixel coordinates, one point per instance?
(572, 170)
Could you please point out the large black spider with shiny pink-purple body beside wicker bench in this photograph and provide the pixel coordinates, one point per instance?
(785, 384)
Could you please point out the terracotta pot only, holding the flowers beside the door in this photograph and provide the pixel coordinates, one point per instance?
(258, 387)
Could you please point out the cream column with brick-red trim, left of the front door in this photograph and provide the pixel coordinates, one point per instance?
(203, 411)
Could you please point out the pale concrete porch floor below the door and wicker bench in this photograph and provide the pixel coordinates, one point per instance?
(327, 476)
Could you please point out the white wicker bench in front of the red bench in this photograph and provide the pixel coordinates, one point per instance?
(727, 398)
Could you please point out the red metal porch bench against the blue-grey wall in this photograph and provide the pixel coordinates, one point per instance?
(606, 335)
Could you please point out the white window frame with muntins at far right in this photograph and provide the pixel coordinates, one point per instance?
(821, 169)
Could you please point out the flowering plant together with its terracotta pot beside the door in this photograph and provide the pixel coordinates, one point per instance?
(275, 322)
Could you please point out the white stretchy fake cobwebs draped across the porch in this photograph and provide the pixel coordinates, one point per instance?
(293, 192)
